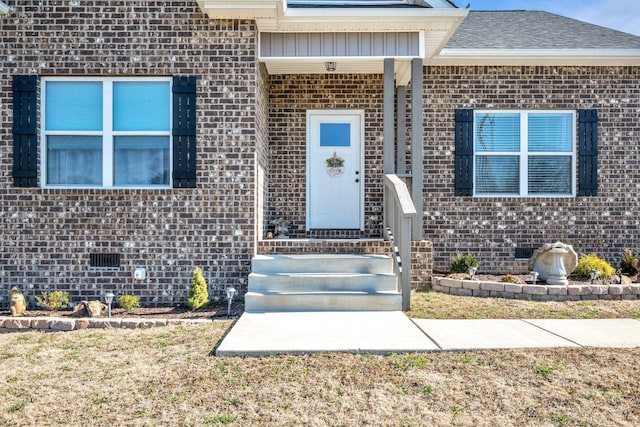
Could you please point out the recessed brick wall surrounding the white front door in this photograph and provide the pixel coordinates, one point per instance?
(290, 98)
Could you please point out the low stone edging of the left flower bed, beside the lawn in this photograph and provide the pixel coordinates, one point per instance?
(56, 324)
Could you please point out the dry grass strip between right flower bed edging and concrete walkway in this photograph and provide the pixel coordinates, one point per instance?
(434, 305)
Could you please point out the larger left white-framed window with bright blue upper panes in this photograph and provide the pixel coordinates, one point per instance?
(108, 132)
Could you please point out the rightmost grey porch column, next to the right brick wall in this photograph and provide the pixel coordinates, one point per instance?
(417, 148)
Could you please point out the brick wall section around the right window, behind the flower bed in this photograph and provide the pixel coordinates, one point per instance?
(492, 228)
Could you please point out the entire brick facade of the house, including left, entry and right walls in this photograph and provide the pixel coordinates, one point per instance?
(251, 161)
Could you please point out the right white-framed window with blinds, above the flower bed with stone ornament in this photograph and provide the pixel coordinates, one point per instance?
(524, 153)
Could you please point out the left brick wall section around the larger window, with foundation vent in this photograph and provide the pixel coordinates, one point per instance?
(47, 235)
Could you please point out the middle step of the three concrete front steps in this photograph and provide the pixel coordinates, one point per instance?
(322, 282)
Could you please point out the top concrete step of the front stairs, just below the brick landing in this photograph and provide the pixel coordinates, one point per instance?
(376, 264)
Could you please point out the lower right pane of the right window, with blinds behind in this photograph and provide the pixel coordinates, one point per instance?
(550, 175)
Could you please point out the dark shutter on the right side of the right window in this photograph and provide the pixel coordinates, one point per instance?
(588, 153)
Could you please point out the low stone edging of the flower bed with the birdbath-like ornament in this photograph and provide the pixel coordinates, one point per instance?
(535, 292)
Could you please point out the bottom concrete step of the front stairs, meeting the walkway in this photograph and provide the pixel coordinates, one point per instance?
(322, 301)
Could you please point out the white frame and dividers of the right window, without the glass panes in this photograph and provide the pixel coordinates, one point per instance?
(523, 154)
